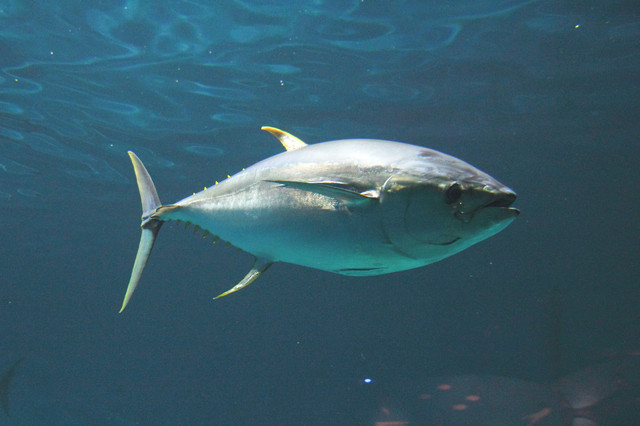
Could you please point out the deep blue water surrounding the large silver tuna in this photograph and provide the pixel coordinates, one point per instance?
(543, 95)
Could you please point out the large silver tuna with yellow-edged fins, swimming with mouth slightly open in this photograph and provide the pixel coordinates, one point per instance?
(356, 207)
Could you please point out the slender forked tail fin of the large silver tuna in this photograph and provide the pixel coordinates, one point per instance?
(150, 226)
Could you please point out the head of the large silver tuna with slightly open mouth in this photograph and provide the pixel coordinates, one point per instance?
(436, 209)
